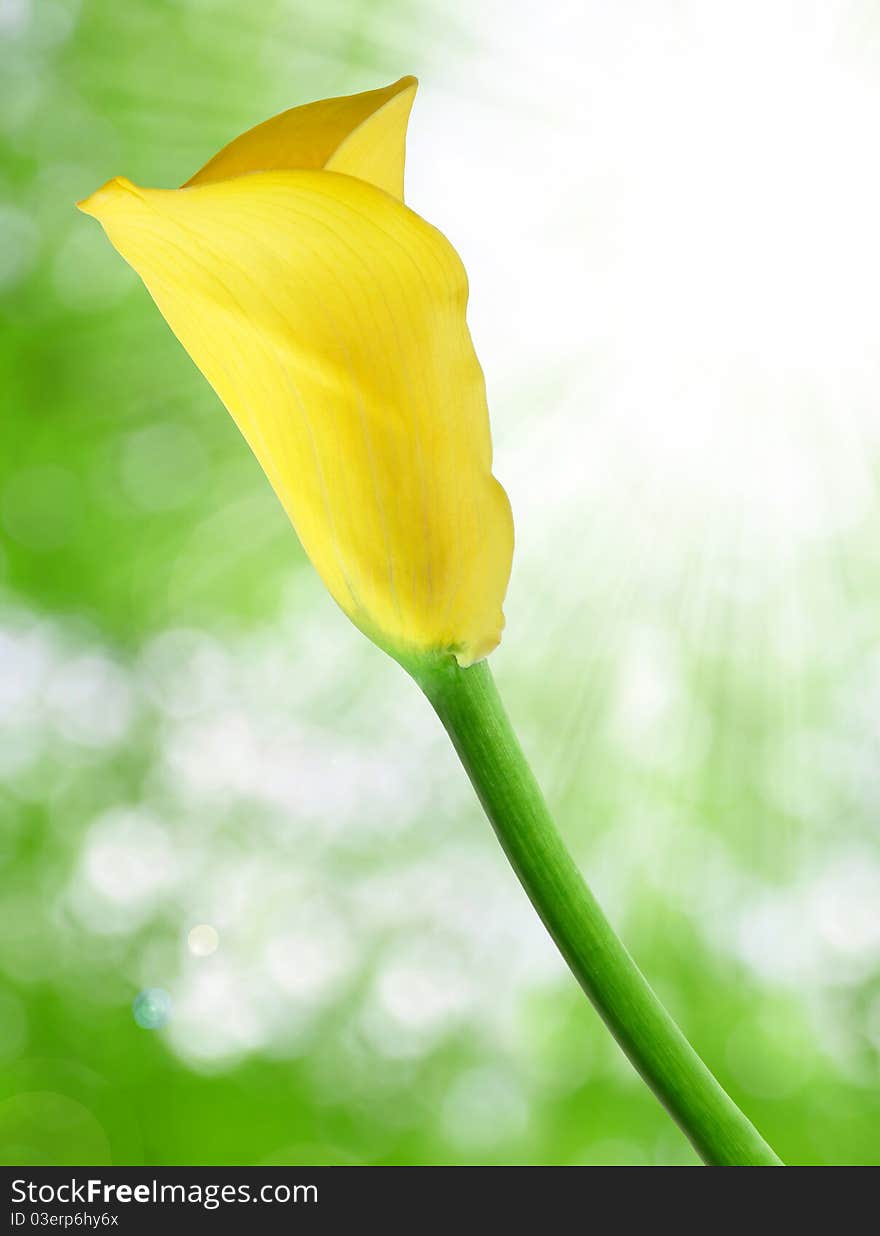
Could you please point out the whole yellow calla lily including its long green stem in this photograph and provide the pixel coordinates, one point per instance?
(331, 321)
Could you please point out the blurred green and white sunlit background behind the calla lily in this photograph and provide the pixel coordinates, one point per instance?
(669, 217)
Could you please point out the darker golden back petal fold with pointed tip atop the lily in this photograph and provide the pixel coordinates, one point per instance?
(363, 135)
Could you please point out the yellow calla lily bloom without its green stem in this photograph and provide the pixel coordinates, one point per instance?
(331, 321)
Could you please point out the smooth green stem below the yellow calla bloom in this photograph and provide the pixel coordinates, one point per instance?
(474, 716)
